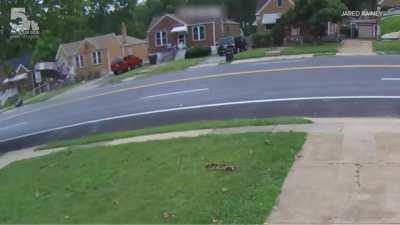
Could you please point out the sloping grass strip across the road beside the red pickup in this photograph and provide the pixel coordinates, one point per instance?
(159, 69)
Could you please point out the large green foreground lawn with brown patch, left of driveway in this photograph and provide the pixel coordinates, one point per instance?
(160, 182)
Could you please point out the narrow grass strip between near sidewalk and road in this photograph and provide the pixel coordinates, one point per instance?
(177, 127)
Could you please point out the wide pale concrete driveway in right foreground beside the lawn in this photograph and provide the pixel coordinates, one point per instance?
(349, 176)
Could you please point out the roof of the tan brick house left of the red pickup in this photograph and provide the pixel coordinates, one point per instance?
(99, 42)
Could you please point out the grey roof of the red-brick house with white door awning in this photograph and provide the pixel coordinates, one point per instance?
(195, 15)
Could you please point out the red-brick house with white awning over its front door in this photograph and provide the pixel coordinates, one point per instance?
(188, 27)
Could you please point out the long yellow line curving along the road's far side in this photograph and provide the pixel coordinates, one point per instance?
(204, 77)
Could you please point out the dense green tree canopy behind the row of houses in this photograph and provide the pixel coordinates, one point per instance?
(70, 20)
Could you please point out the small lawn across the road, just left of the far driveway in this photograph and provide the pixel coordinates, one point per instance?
(325, 48)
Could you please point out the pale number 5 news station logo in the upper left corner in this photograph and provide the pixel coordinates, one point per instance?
(21, 26)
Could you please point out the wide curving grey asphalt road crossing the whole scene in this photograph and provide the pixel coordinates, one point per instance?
(319, 87)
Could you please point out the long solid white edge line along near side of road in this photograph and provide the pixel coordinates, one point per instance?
(199, 107)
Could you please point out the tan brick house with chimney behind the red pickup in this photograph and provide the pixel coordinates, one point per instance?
(93, 56)
